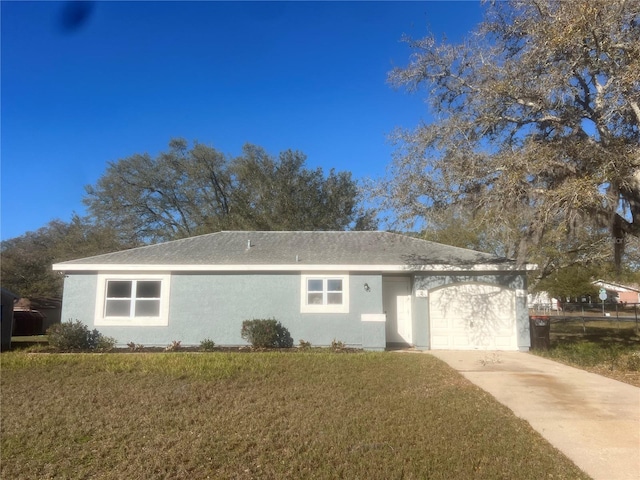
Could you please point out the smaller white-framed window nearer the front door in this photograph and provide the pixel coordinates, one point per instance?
(324, 293)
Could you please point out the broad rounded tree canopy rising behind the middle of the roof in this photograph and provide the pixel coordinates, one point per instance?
(190, 191)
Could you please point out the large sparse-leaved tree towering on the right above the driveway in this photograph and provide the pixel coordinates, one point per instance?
(537, 126)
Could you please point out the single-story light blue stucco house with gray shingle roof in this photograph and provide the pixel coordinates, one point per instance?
(367, 289)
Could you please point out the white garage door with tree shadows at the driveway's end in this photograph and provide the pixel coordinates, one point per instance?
(472, 316)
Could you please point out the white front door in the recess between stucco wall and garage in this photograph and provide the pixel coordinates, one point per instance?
(396, 302)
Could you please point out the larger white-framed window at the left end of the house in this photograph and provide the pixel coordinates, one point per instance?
(129, 299)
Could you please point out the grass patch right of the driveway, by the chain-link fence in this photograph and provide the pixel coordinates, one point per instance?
(608, 348)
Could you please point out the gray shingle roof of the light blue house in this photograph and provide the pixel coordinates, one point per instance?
(293, 248)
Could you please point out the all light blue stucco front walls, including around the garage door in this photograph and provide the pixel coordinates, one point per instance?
(213, 306)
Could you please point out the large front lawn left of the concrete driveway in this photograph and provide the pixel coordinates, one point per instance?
(260, 415)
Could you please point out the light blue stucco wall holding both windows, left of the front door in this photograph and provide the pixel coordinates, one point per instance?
(214, 306)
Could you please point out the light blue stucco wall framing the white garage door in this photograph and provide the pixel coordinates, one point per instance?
(423, 283)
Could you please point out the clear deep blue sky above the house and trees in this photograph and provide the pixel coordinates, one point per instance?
(310, 76)
